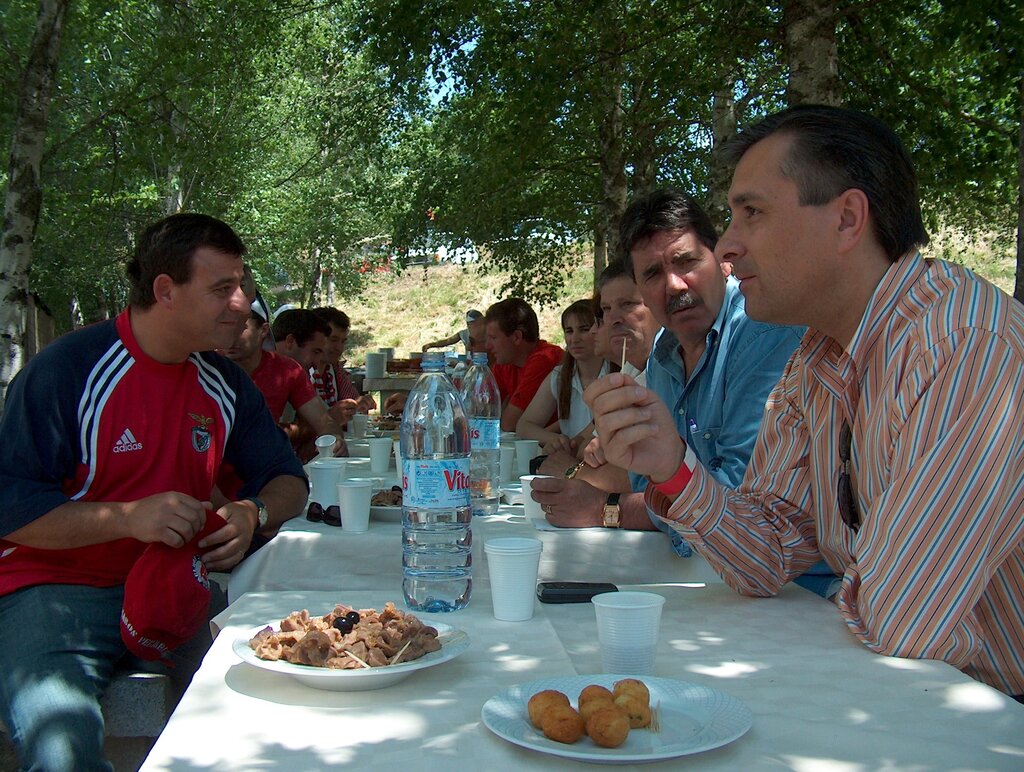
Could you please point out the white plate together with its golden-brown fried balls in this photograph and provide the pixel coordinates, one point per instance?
(617, 719)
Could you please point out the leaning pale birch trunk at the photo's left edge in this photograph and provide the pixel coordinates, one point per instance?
(24, 199)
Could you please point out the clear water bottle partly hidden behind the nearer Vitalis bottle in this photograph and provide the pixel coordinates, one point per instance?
(484, 406)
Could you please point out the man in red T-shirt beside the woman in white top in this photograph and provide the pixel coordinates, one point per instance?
(523, 361)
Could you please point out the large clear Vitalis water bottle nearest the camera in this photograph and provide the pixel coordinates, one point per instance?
(437, 540)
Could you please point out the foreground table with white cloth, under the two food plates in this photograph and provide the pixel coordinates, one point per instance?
(820, 699)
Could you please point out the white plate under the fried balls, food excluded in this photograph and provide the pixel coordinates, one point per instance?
(694, 719)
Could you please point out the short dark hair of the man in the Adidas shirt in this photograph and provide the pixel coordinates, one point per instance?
(167, 247)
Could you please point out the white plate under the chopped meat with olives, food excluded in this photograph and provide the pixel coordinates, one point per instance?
(454, 642)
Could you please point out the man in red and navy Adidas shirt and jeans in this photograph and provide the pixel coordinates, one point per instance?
(111, 441)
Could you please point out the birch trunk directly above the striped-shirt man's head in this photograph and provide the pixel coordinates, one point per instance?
(810, 52)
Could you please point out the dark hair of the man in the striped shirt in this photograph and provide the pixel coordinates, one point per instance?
(835, 150)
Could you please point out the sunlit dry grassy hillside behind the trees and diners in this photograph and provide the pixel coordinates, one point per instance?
(430, 304)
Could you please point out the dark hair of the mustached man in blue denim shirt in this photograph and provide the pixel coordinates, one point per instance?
(665, 209)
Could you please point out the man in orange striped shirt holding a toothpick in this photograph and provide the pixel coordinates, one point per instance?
(893, 447)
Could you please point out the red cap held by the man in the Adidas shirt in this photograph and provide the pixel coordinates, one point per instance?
(167, 596)
